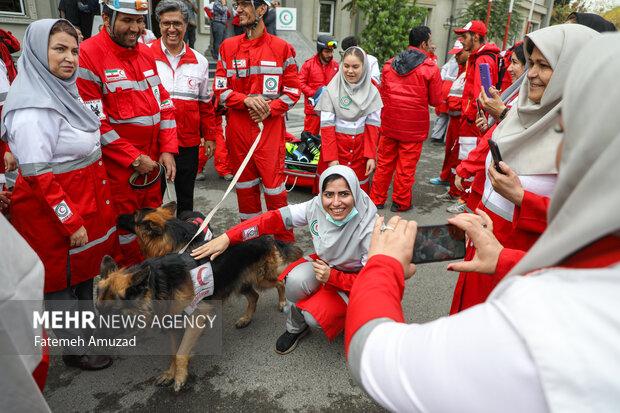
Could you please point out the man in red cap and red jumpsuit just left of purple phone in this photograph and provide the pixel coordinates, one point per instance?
(473, 39)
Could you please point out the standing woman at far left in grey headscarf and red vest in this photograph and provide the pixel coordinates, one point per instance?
(61, 203)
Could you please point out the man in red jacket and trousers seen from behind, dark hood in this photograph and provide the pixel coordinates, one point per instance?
(410, 82)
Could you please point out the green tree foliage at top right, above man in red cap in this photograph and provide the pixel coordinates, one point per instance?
(477, 10)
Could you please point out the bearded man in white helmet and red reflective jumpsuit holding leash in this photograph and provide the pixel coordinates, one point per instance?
(118, 80)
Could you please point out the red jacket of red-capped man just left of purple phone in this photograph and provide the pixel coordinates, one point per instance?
(487, 53)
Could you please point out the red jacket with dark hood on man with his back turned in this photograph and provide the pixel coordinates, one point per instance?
(410, 82)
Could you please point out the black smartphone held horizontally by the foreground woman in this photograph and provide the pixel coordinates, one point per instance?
(438, 243)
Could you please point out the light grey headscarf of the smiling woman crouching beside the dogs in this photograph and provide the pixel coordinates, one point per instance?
(342, 246)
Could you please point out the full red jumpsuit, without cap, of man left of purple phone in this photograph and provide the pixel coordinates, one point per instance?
(469, 134)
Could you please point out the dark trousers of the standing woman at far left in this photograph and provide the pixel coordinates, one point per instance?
(77, 298)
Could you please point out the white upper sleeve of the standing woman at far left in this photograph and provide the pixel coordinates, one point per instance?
(33, 135)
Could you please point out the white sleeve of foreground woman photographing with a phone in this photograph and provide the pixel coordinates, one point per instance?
(471, 362)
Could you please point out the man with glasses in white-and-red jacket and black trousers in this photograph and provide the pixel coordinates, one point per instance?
(185, 74)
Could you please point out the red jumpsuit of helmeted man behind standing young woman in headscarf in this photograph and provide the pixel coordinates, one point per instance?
(313, 75)
